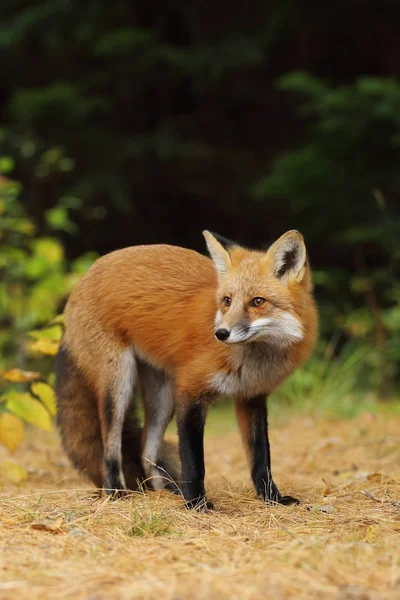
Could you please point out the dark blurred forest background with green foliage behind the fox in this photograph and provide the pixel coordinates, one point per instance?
(148, 121)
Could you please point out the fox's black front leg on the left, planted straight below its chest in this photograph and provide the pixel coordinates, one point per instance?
(191, 420)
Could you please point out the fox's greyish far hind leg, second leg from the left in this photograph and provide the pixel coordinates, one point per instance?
(158, 401)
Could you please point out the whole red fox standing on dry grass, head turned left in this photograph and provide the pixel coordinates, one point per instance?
(188, 329)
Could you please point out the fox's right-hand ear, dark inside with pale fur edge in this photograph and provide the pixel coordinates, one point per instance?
(289, 256)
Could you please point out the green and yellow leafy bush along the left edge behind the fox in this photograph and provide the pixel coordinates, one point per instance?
(35, 279)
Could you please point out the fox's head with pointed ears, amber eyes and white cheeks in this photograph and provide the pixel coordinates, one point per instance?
(261, 295)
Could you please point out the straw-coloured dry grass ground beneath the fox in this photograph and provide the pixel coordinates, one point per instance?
(58, 542)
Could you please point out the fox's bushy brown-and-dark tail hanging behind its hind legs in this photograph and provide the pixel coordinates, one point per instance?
(79, 425)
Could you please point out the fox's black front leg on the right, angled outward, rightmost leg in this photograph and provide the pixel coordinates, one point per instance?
(253, 422)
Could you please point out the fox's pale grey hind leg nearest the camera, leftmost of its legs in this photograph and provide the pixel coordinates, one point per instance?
(115, 403)
